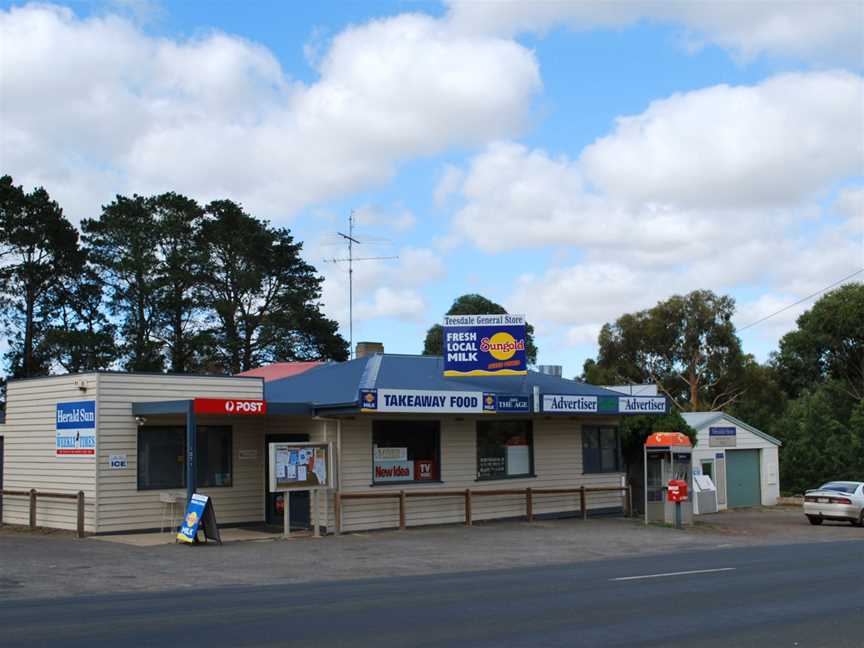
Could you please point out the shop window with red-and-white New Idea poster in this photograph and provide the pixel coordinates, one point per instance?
(406, 451)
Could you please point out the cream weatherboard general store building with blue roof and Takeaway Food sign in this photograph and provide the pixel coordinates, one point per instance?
(394, 421)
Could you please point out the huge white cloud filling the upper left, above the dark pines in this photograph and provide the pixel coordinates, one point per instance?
(216, 116)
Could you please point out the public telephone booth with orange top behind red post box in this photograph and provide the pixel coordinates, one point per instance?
(667, 457)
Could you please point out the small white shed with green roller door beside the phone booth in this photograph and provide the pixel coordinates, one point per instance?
(741, 460)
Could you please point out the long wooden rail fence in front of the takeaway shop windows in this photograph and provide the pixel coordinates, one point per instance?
(468, 495)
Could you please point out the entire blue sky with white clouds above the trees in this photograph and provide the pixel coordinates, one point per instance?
(573, 161)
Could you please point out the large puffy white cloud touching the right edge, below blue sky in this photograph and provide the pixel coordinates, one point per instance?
(764, 145)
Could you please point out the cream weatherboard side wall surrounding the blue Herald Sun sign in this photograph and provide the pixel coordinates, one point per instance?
(29, 453)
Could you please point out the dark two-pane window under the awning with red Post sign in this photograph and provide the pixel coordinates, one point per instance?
(162, 456)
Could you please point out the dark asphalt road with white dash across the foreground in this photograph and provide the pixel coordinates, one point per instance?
(789, 595)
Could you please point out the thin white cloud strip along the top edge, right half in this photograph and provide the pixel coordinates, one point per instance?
(821, 30)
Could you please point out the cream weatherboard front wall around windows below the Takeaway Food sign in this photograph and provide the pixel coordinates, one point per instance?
(557, 464)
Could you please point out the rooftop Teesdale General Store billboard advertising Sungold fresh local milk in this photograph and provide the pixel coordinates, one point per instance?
(484, 345)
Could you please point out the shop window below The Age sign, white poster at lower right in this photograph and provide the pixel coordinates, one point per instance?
(505, 449)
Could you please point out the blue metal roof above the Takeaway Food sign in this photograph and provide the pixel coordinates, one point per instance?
(339, 383)
